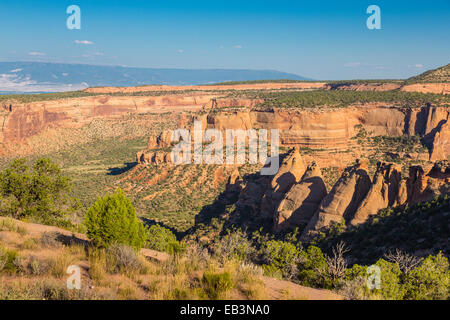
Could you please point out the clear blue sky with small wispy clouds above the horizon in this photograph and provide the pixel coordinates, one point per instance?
(316, 39)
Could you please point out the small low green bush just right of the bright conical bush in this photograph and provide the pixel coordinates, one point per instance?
(162, 239)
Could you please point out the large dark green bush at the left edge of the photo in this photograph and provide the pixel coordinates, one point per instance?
(40, 192)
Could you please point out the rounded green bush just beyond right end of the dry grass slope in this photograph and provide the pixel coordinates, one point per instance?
(281, 255)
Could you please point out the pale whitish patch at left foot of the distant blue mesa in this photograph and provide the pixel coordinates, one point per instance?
(17, 83)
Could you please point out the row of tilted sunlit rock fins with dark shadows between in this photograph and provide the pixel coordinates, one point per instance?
(297, 196)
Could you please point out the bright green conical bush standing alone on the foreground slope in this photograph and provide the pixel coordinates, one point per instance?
(112, 219)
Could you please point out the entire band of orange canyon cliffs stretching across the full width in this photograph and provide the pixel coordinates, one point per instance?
(326, 130)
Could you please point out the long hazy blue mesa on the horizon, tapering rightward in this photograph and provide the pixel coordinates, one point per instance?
(28, 77)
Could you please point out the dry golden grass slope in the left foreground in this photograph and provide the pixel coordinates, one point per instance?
(37, 270)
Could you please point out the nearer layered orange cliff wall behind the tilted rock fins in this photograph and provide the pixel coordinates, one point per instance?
(330, 132)
